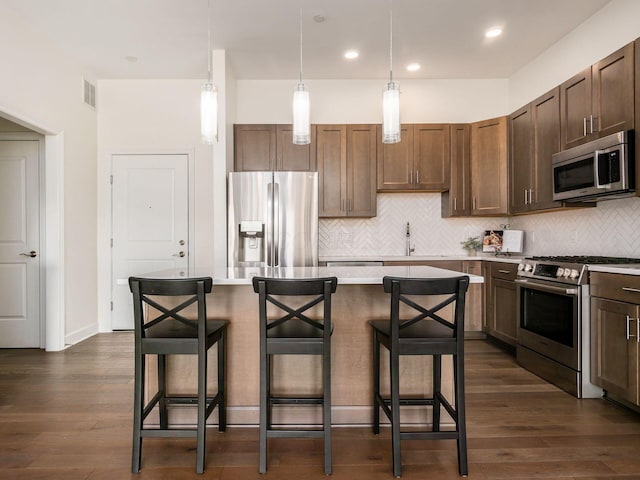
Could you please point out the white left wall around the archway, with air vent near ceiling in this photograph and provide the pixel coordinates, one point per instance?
(42, 87)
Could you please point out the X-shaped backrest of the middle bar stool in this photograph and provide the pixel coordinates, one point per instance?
(319, 288)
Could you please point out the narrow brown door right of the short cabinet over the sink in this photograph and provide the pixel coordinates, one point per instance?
(455, 202)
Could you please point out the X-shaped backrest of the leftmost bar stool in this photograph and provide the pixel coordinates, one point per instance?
(195, 289)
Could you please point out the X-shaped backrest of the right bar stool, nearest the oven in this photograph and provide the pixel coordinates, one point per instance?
(401, 289)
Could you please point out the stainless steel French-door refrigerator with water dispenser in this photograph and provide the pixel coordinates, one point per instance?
(273, 219)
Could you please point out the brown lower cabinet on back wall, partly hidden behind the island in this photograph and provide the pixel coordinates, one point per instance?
(474, 300)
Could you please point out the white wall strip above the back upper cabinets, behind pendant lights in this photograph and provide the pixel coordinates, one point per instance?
(360, 101)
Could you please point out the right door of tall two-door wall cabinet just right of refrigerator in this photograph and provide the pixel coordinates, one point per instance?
(361, 171)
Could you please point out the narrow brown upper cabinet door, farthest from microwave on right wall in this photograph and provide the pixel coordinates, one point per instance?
(521, 159)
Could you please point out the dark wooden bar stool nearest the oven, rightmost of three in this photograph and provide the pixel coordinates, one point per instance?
(421, 330)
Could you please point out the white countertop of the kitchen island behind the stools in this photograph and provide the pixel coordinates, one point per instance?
(345, 275)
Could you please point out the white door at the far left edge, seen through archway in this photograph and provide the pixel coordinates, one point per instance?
(19, 244)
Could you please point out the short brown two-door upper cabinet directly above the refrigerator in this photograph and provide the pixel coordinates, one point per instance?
(270, 147)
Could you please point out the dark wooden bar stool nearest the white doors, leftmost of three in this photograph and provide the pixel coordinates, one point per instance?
(161, 330)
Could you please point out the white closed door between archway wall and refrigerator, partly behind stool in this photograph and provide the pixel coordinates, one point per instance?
(150, 230)
